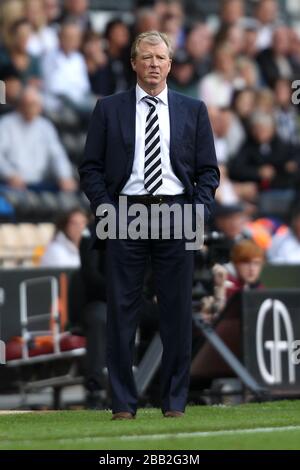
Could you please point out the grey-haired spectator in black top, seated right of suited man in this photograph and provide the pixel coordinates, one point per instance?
(264, 159)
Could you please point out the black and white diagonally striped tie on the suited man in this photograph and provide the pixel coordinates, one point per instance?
(152, 168)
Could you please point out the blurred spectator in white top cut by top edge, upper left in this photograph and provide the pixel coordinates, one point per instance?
(43, 38)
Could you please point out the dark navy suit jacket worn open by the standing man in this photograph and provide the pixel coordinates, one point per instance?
(110, 145)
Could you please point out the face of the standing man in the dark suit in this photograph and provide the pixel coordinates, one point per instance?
(152, 65)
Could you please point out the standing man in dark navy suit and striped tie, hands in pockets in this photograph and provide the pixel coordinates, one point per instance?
(154, 146)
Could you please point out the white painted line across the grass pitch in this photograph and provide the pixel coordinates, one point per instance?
(138, 437)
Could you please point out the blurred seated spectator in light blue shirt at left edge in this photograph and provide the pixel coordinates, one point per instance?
(30, 152)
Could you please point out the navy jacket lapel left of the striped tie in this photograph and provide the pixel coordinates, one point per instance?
(127, 121)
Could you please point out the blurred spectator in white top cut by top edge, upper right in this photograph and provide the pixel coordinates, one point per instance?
(266, 13)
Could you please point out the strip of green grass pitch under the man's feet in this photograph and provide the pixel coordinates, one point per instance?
(272, 425)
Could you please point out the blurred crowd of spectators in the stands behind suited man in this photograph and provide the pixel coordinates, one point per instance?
(56, 64)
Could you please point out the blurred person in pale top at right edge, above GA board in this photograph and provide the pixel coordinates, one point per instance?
(285, 248)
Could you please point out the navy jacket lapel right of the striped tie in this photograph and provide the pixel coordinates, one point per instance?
(177, 112)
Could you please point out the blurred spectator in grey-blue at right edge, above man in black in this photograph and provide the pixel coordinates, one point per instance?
(286, 116)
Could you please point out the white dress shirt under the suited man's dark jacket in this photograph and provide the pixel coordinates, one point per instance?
(135, 184)
